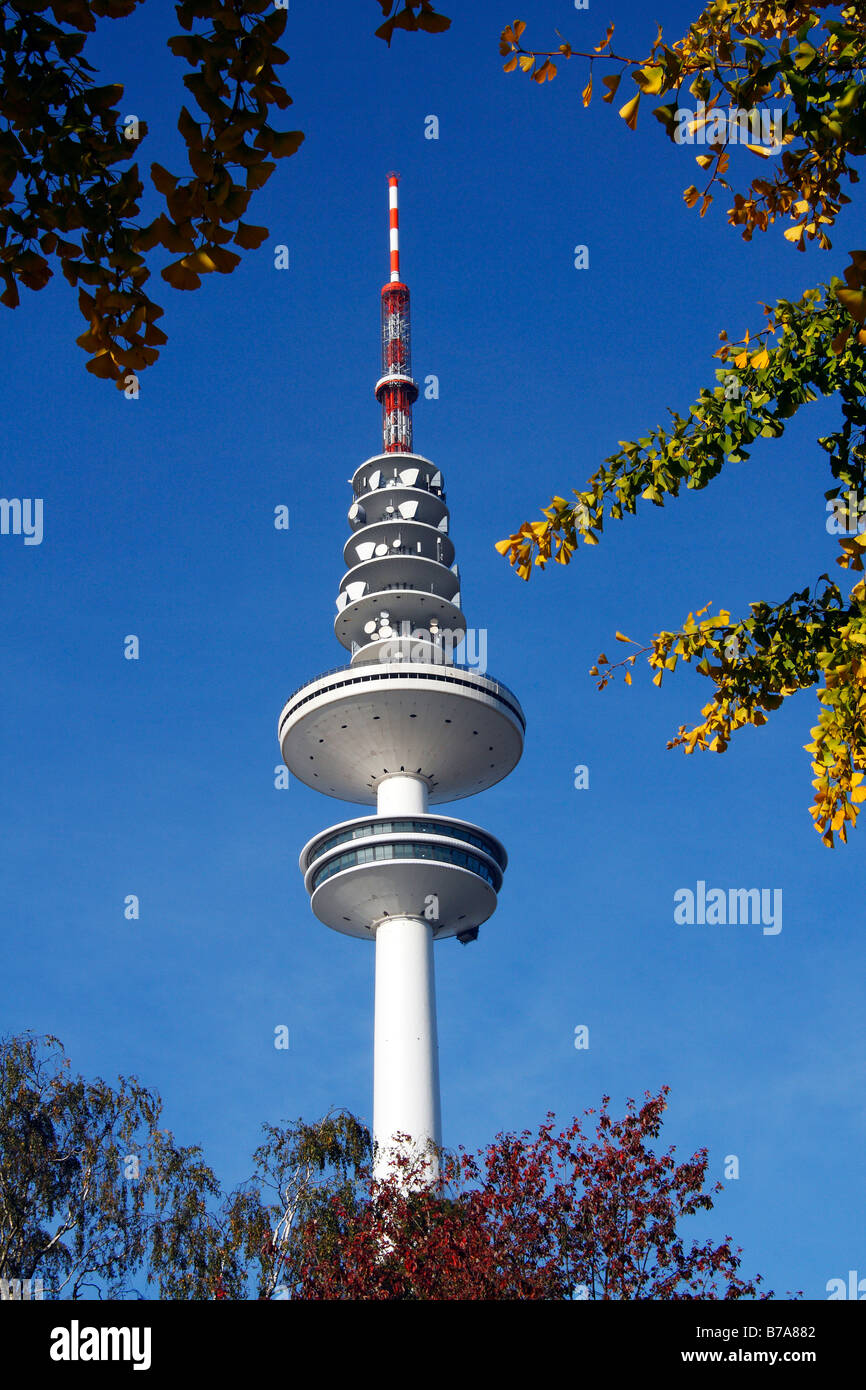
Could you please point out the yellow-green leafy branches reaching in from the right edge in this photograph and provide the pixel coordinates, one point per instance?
(803, 67)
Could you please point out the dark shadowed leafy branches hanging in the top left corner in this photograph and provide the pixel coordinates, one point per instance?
(70, 195)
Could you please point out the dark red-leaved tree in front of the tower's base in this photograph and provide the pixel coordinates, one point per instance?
(548, 1217)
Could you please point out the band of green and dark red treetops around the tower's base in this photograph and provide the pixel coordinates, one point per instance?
(98, 1197)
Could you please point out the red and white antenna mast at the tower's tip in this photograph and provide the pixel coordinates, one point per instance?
(395, 389)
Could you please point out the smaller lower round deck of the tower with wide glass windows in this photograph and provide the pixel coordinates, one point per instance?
(365, 871)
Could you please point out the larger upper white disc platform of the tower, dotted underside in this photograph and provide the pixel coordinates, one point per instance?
(457, 729)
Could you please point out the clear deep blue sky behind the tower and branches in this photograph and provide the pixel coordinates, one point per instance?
(156, 778)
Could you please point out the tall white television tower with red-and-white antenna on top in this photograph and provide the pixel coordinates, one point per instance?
(402, 728)
